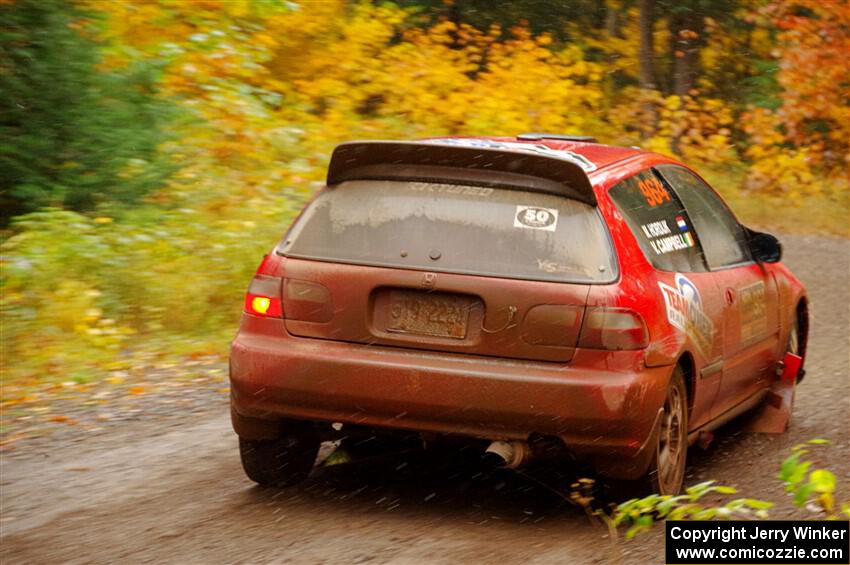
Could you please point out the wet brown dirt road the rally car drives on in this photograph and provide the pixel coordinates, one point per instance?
(166, 485)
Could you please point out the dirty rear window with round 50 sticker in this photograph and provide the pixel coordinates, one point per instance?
(455, 228)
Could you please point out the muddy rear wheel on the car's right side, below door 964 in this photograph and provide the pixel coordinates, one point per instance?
(667, 467)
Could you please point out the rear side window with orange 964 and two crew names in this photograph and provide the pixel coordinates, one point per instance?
(659, 222)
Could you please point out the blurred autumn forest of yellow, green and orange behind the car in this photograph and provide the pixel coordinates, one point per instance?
(152, 150)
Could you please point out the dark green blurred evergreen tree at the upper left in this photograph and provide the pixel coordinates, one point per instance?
(72, 134)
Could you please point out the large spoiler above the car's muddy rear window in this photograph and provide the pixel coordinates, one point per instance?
(529, 167)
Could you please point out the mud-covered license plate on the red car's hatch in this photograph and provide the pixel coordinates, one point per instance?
(441, 315)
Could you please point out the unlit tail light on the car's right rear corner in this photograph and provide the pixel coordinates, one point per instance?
(613, 329)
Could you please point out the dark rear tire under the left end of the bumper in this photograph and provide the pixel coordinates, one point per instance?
(284, 461)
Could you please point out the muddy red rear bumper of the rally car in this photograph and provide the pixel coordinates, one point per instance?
(603, 405)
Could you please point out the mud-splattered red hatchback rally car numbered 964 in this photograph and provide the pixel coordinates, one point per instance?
(517, 292)
